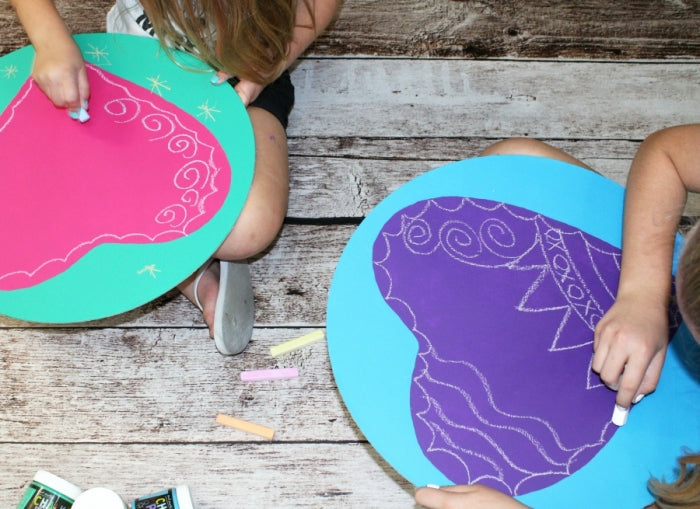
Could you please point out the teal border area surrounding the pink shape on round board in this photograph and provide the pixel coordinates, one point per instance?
(110, 279)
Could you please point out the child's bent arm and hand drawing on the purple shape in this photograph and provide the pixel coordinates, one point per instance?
(631, 339)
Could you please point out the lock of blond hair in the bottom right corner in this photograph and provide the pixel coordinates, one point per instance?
(684, 491)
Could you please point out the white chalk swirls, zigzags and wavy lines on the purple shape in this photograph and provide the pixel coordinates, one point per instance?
(416, 235)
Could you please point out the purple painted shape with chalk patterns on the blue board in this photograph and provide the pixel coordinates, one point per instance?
(503, 302)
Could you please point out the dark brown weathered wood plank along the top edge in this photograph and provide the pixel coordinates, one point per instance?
(442, 28)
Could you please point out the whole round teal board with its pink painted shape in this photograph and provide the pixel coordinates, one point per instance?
(148, 114)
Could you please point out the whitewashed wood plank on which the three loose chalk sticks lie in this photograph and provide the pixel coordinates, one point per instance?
(161, 386)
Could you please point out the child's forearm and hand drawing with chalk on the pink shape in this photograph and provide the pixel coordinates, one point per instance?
(59, 68)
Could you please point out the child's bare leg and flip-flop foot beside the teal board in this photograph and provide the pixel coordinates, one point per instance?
(263, 213)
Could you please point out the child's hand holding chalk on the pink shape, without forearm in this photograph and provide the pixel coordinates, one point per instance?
(59, 70)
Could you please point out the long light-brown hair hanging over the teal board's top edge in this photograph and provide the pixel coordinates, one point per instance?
(248, 39)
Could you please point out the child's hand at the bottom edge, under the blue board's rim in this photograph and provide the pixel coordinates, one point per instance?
(472, 496)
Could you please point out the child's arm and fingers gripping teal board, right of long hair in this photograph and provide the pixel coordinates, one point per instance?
(305, 32)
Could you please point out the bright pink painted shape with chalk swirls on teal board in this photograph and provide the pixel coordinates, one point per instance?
(139, 171)
